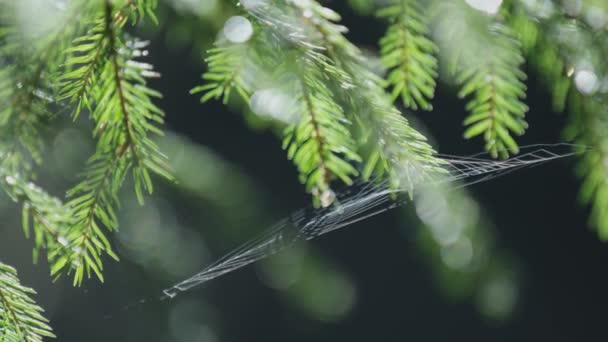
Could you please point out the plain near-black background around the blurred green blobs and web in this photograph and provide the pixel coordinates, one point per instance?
(535, 212)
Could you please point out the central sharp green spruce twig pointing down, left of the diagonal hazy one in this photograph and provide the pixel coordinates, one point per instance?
(319, 142)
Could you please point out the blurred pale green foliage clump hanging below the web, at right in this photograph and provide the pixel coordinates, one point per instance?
(459, 244)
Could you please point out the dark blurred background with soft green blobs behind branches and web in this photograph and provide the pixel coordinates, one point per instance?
(510, 259)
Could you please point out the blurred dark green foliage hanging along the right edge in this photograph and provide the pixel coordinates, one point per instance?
(559, 48)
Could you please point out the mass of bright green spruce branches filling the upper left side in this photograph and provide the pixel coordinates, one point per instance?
(98, 72)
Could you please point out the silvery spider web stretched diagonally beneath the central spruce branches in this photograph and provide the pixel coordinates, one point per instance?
(364, 200)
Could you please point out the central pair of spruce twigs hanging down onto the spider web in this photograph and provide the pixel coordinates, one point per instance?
(332, 87)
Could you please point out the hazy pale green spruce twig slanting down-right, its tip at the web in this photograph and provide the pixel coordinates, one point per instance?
(387, 140)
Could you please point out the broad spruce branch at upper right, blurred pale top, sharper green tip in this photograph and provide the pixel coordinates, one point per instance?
(485, 57)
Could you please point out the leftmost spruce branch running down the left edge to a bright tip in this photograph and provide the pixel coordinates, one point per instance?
(27, 89)
